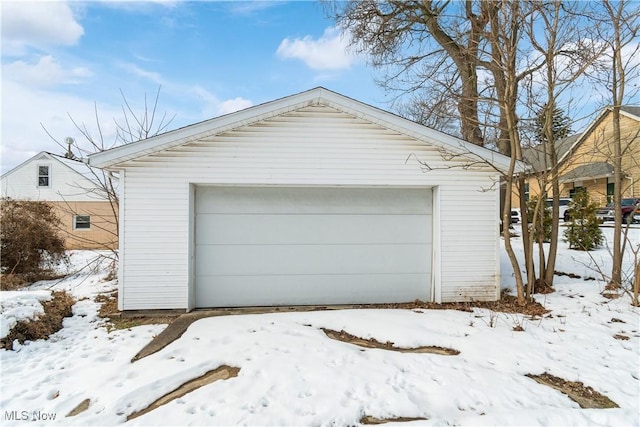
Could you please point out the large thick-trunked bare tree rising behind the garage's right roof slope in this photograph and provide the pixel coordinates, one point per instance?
(420, 44)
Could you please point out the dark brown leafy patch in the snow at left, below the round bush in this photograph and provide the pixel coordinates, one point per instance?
(46, 324)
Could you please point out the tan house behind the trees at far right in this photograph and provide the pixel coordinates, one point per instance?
(586, 159)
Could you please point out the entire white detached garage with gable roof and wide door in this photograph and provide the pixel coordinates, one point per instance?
(310, 199)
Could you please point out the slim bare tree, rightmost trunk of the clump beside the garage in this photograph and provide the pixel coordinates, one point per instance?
(555, 33)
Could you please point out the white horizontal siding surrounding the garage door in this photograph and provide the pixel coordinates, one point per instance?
(313, 146)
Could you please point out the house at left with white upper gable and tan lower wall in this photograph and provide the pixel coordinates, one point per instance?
(88, 220)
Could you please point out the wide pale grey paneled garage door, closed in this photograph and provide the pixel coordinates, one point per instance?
(262, 246)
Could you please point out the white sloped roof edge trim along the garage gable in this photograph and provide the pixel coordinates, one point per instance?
(317, 96)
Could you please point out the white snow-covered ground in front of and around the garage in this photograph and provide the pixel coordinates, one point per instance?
(292, 374)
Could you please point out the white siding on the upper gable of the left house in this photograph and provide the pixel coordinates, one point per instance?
(65, 184)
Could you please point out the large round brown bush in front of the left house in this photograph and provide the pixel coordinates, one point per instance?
(30, 242)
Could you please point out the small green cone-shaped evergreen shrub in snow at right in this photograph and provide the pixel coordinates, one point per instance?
(583, 232)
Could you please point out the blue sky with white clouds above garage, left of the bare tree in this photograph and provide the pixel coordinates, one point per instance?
(210, 58)
